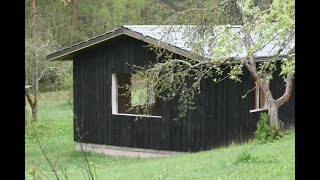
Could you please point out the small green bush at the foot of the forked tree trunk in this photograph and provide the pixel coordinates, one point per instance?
(264, 132)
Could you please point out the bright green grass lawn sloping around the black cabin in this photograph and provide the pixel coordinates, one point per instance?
(248, 161)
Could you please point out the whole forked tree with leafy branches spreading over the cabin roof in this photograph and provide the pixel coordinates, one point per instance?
(231, 50)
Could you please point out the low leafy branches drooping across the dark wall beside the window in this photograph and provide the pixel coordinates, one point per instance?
(181, 78)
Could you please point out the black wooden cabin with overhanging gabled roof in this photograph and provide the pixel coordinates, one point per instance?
(100, 65)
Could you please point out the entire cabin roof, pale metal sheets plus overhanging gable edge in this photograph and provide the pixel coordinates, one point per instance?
(177, 36)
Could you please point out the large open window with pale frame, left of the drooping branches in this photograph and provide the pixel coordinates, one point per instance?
(130, 103)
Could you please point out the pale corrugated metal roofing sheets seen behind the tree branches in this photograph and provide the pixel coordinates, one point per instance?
(178, 35)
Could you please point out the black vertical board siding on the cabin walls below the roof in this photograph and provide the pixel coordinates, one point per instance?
(221, 116)
